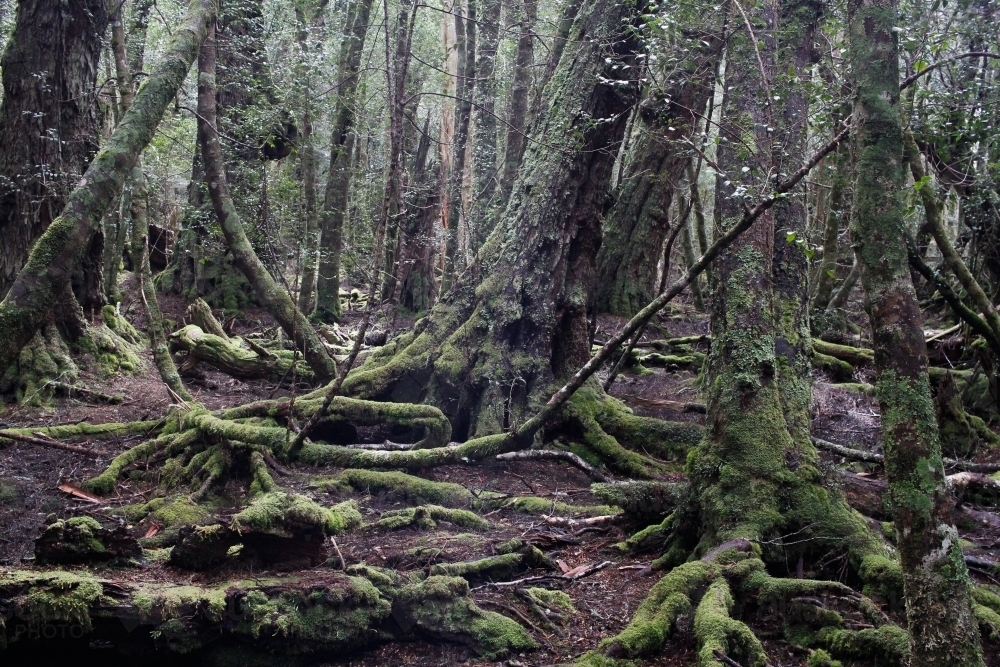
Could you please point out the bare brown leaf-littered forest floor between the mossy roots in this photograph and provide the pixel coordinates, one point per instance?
(605, 599)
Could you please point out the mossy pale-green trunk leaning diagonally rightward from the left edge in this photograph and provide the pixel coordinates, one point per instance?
(60, 250)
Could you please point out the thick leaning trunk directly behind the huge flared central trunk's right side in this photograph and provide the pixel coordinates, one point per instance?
(637, 223)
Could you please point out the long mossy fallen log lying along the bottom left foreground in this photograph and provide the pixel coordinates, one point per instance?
(317, 613)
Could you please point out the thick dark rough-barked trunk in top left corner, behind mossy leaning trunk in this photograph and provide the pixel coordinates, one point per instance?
(48, 128)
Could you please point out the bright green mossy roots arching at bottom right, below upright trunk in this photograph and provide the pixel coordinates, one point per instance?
(708, 587)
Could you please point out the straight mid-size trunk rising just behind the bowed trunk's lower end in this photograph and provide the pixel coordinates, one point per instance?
(331, 220)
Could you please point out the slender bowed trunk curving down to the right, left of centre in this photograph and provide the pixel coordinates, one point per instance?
(271, 295)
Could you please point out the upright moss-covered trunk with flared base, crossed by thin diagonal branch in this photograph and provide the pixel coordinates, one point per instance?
(755, 475)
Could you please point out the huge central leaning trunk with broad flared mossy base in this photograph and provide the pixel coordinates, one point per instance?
(489, 350)
